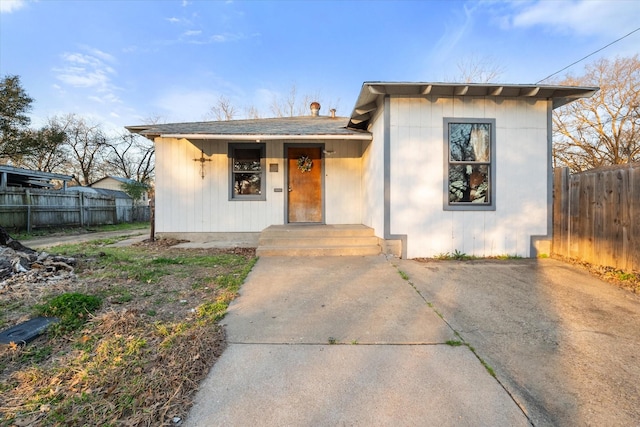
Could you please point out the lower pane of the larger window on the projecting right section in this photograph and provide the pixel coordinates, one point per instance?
(469, 183)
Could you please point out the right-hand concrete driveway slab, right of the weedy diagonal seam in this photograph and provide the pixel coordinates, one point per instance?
(564, 344)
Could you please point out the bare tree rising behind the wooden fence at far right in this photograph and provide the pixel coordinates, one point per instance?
(604, 129)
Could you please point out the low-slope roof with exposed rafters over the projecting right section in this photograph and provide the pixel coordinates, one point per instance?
(372, 94)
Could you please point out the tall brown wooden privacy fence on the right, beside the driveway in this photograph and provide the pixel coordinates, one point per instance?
(596, 216)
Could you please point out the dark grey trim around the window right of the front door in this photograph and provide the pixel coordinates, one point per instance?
(469, 206)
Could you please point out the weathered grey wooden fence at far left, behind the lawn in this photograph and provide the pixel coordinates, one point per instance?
(26, 209)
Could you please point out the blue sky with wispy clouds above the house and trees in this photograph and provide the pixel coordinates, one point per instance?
(120, 62)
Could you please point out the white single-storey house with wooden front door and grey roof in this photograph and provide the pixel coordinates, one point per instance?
(425, 168)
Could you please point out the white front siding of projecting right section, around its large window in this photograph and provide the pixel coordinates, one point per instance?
(417, 177)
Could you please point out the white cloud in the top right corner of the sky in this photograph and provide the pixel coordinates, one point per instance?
(582, 17)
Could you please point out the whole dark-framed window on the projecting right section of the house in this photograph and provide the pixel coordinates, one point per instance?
(470, 164)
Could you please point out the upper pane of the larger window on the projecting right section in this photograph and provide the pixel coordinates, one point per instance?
(469, 142)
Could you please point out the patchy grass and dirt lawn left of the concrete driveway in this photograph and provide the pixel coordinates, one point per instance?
(137, 359)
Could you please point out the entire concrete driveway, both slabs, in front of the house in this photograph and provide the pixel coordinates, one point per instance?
(363, 341)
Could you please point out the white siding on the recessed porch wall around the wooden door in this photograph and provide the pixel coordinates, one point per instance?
(186, 203)
